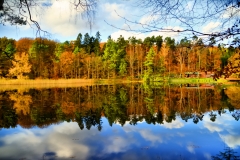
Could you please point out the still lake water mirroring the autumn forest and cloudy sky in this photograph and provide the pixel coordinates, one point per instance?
(120, 122)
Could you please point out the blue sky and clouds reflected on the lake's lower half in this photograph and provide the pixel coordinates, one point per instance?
(168, 141)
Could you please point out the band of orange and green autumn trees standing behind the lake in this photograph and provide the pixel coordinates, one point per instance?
(89, 58)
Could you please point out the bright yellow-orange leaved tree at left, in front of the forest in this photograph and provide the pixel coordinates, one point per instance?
(20, 66)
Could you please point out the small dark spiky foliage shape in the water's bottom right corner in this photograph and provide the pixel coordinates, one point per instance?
(228, 154)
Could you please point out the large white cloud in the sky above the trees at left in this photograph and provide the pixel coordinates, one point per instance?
(60, 18)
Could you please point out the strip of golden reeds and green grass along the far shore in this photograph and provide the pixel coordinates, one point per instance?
(6, 84)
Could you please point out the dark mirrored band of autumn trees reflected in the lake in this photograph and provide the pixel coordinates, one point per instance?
(118, 103)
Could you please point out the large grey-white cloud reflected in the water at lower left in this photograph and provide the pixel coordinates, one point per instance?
(58, 139)
